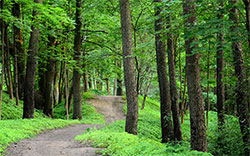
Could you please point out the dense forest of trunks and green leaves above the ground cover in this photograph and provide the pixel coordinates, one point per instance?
(191, 55)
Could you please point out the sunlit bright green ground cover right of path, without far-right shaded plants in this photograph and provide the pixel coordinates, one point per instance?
(147, 142)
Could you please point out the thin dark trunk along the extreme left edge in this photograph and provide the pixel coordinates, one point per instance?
(3, 63)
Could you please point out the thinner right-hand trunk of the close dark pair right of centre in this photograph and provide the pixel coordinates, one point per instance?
(173, 87)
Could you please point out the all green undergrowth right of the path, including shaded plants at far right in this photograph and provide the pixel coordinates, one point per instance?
(147, 142)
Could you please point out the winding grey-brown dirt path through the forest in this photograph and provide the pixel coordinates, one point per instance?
(60, 142)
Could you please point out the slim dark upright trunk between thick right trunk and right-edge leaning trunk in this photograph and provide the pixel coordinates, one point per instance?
(220, 67)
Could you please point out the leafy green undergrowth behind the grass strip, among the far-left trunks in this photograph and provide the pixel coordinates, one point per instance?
(11, 111)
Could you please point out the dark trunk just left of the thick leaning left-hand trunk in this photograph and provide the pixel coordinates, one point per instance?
(18, 45)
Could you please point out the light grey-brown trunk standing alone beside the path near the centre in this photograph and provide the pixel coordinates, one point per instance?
(128, 64)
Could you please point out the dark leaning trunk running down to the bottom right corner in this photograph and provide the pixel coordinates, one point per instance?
(241, 90)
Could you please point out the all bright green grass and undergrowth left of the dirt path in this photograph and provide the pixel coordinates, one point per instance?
(13, 128)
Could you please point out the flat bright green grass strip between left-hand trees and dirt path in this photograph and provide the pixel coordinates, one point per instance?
(16, 130)
